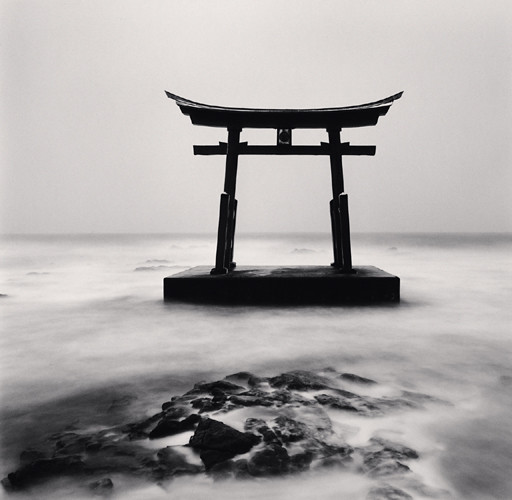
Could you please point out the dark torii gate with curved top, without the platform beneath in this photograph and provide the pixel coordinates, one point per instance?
(333, 120)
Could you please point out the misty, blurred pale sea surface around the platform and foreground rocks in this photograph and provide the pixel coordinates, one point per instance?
(83, 322)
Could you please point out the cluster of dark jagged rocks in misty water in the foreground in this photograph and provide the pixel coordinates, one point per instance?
(284, 427)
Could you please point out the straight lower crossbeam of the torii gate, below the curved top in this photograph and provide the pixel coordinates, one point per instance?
(323, 149)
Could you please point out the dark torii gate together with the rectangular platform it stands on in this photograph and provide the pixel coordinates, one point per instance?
(338, 283)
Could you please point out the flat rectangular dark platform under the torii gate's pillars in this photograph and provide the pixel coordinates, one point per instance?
(283, 285)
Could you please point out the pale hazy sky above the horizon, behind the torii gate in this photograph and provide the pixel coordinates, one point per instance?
(90, 143)
